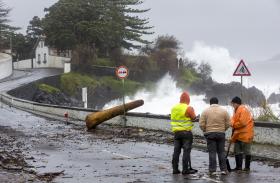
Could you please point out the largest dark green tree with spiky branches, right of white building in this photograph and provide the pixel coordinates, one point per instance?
(101, 25)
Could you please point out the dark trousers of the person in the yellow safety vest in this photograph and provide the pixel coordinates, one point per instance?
(182, 140)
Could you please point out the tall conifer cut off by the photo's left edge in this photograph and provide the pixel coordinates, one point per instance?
(6, 30)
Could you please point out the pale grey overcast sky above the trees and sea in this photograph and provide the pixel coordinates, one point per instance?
(248, 29)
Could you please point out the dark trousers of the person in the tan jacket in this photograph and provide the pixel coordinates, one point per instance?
(216, 145)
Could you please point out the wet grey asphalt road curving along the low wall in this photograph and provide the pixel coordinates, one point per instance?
(100, 155)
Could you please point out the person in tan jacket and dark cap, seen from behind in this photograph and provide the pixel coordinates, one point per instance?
(214, 121)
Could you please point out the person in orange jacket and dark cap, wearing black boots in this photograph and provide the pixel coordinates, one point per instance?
(243, 126)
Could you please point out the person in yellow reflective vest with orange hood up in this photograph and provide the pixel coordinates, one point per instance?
(181, 125)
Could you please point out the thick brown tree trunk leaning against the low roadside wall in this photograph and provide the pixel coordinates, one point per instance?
(94, 119)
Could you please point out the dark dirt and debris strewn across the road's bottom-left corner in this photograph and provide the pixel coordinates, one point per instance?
(13, 165)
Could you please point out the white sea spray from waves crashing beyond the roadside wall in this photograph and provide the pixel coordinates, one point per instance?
(166, 94)
